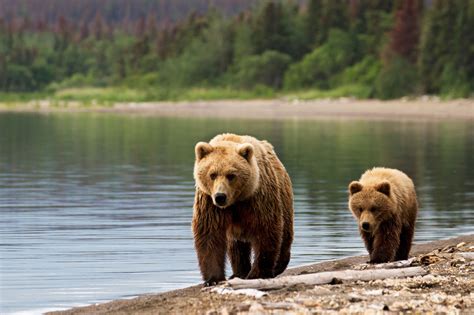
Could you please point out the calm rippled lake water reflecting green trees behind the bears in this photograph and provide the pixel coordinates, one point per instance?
(98, 207)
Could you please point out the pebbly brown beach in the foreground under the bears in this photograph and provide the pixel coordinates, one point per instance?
(446, 288)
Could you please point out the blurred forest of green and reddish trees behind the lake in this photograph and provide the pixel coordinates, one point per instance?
(160, 48)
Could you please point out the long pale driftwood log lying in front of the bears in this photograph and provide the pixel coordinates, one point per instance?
(325, 278)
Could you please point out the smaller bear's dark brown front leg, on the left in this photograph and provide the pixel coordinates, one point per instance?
(386, 243)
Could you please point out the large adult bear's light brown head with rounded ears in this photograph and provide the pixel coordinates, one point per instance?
(227, 171)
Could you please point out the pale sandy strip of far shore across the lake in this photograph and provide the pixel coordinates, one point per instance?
(276, 109)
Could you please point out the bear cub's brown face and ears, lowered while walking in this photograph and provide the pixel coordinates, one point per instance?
(371, 204)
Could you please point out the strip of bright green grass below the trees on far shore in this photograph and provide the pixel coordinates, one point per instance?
(95, 96)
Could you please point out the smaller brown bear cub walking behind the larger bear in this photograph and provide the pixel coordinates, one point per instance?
(385, 205)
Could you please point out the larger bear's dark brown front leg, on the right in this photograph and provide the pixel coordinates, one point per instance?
(266, 254)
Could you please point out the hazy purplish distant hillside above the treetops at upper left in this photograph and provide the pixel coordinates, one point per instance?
(115, 11)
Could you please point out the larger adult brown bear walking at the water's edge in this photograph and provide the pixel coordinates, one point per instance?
(243, 202)
